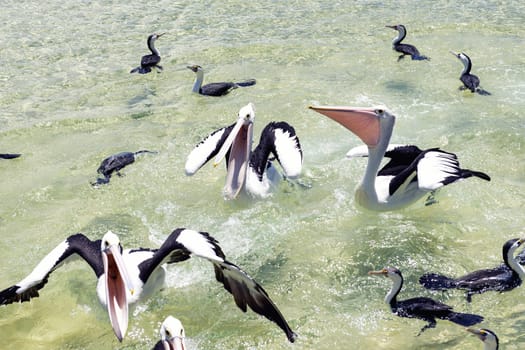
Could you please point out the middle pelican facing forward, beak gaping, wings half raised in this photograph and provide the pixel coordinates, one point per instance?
(250, 170)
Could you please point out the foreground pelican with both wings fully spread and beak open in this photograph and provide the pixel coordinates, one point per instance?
(127, 276)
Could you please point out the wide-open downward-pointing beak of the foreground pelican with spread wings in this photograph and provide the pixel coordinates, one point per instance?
(117, 282)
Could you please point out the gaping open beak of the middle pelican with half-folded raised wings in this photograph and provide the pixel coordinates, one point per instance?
(239, 144)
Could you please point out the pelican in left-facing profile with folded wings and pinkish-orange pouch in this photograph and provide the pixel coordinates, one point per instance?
(411, 172)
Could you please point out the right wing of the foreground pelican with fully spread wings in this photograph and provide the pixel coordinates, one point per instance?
(245, 290)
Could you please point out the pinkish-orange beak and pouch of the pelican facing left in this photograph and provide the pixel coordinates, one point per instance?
(362, 121)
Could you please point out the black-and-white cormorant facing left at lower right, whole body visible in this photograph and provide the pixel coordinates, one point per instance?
(421, 307)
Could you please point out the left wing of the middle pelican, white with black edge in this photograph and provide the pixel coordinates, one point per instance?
(207, 149)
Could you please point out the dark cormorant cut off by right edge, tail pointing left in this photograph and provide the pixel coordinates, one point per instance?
(502, 278)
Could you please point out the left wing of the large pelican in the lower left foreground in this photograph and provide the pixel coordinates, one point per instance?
(28, 287)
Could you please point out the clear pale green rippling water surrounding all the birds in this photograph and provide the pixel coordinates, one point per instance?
(68, 101)
